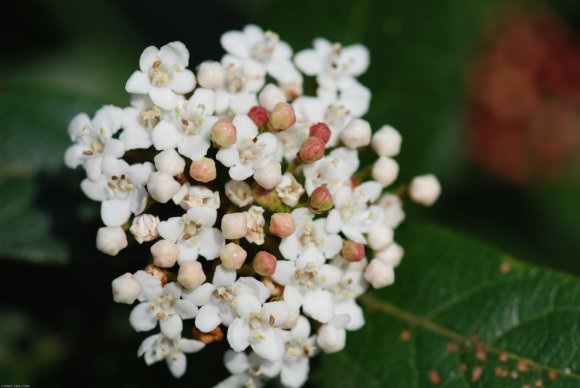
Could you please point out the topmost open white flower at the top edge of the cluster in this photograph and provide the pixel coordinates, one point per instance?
(266, 48)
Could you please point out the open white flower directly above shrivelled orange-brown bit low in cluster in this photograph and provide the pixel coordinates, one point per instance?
(217, 299)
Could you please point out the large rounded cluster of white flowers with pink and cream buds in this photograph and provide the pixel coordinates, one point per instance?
(299, 232)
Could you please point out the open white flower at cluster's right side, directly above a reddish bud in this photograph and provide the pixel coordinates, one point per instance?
(352, 215)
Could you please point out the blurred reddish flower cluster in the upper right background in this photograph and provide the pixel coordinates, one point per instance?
(524, 108)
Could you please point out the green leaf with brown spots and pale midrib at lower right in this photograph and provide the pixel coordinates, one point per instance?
(462, 314)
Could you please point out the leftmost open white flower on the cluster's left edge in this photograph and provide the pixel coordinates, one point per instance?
(93, 140)
